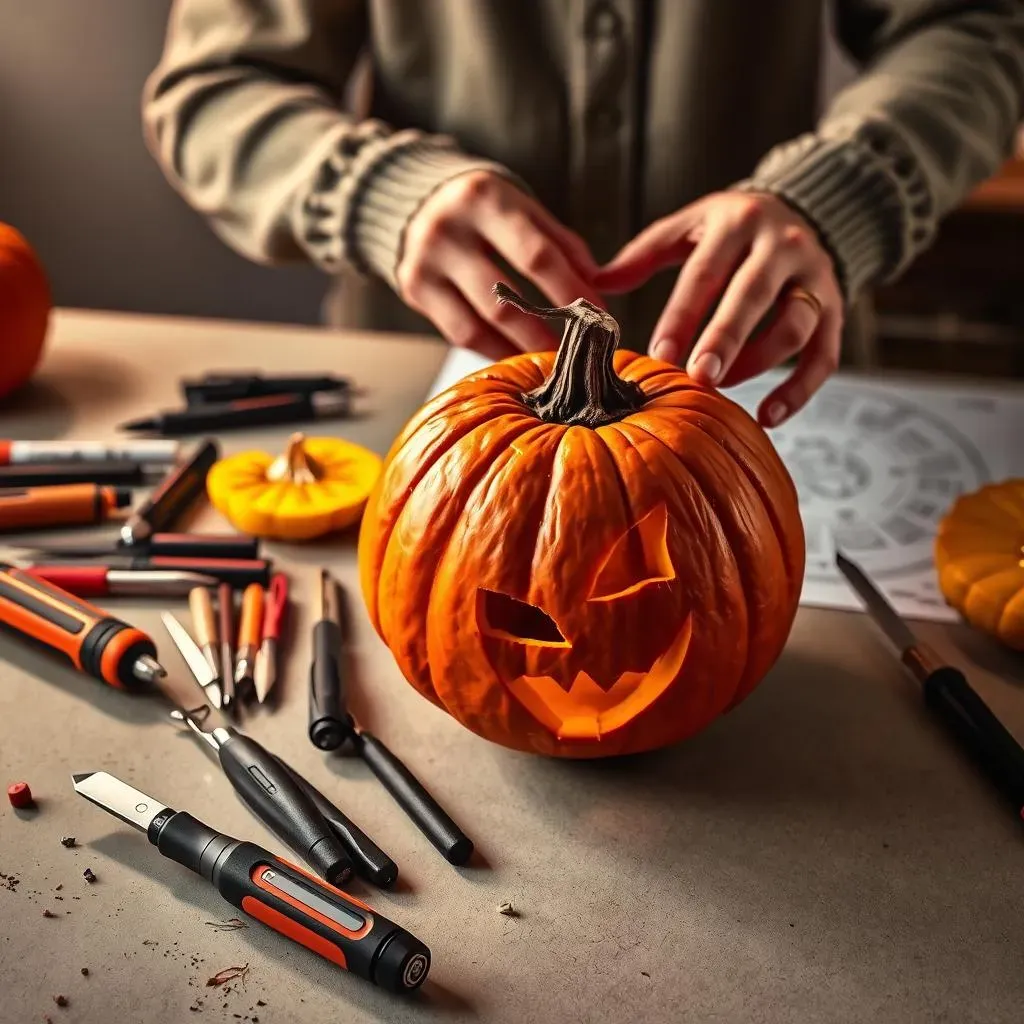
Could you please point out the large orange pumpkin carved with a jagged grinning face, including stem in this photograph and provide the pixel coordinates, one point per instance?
(583, 553)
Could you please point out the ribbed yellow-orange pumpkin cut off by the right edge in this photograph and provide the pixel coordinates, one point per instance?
(979, 554)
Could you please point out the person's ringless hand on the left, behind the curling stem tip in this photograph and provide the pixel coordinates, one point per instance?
(448, 273)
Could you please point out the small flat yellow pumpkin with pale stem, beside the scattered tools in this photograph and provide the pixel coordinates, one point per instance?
(319, 486)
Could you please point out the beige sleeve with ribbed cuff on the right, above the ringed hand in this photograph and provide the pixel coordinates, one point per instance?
(933, 114)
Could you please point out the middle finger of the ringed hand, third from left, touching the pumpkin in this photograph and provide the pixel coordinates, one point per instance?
(747, 302)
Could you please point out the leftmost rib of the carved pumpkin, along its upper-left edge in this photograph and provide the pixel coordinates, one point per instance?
(421, 450)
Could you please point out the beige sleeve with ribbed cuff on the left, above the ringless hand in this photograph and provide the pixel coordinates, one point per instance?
(244, 115)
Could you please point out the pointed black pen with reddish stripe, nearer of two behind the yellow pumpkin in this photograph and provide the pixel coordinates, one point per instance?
(260, 412)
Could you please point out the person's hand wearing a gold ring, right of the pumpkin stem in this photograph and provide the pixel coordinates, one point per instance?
(760, 258)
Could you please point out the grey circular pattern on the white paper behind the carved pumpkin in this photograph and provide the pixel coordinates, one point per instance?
(875, 475)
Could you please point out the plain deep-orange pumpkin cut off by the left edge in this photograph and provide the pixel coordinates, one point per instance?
(25, 311)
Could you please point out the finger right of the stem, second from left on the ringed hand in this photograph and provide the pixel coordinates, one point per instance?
(702, 281)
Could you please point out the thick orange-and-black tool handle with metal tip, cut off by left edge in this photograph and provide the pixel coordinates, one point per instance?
(90, 638)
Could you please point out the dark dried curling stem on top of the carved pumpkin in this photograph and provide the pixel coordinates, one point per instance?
(583, 389)
